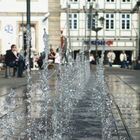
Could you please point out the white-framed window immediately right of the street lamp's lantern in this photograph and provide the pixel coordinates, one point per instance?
(109, 21)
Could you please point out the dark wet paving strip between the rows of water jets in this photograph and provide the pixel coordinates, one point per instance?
(86, 120)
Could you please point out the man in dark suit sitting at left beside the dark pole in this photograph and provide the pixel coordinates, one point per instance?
(15, 60)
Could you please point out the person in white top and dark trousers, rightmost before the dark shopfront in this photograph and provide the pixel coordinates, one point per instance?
(123, 60)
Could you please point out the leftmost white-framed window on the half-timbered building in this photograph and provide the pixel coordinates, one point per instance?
(73, 21)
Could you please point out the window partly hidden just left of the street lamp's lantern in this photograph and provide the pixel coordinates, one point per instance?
(91, 21)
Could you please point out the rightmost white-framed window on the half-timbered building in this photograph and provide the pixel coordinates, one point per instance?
(125, 21)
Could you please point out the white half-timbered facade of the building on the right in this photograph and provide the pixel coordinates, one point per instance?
(120, 25)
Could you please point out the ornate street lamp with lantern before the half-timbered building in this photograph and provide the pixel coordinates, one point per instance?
(97, 29)
